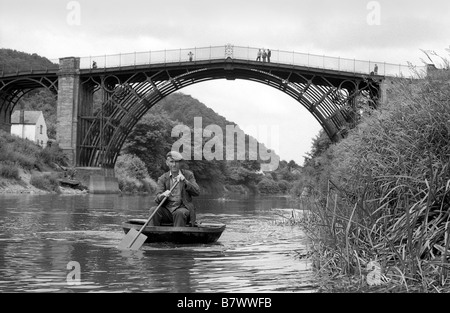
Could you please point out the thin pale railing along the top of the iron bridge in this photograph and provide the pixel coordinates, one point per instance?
(250, 54)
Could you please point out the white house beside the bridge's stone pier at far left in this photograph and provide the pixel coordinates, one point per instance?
(30, 125)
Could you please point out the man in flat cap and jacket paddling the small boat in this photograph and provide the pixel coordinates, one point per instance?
(178, 207)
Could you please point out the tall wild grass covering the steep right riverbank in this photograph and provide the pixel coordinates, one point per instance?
(386, 197)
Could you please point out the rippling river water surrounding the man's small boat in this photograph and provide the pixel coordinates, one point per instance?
(68, 243)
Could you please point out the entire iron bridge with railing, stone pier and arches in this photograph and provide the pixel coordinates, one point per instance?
(131, 84)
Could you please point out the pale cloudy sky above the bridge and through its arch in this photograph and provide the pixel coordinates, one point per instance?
(392, 31)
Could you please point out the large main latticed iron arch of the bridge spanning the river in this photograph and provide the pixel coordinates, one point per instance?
(127, 97)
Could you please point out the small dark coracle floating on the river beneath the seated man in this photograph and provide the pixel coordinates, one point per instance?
(203, 233)
